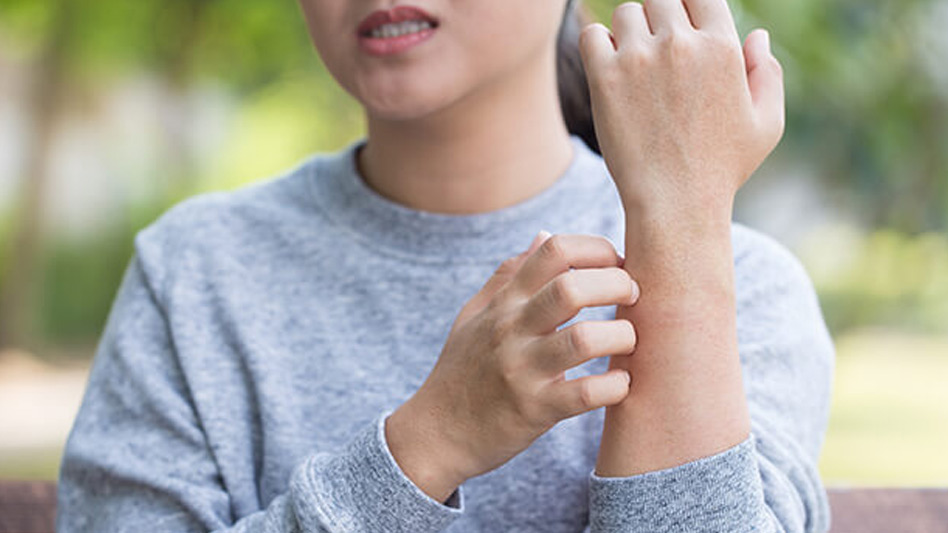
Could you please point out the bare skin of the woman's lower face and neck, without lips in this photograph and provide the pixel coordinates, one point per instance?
(486, 83)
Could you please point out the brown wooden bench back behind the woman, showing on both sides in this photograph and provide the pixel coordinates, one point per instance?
(30, 507)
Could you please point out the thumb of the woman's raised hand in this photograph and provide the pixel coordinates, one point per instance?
(765, 79)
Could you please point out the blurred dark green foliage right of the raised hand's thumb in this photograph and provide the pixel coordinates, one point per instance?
(862, 104)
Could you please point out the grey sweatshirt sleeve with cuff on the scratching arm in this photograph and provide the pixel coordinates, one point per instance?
(137, 458)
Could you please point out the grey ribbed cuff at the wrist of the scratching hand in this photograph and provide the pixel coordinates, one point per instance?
(362, 489)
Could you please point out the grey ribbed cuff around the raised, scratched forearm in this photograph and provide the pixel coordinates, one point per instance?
(722, 492)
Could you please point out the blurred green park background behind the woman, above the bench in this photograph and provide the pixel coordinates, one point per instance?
(112, 111)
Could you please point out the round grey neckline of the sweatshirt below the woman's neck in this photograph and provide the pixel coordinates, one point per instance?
(385, 225)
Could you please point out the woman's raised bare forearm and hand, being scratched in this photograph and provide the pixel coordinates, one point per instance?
(685, 115)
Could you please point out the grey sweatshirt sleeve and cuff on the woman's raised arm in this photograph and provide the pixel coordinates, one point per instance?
(769, 482)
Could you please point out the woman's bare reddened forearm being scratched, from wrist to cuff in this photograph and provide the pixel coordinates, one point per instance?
(687, 400)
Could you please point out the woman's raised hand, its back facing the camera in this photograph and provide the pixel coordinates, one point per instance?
(683, 114)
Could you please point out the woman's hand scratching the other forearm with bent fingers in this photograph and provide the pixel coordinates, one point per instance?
(499, 382)
